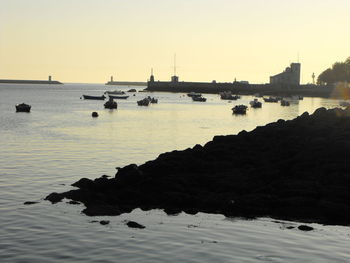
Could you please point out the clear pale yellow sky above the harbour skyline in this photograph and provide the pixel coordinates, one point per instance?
(87, 41)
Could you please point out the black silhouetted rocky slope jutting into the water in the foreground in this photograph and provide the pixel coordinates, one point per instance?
(295, 170)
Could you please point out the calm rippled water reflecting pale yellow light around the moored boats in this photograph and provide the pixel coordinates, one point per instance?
(59, 142)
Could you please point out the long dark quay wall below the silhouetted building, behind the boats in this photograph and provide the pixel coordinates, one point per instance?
(250, 89)
